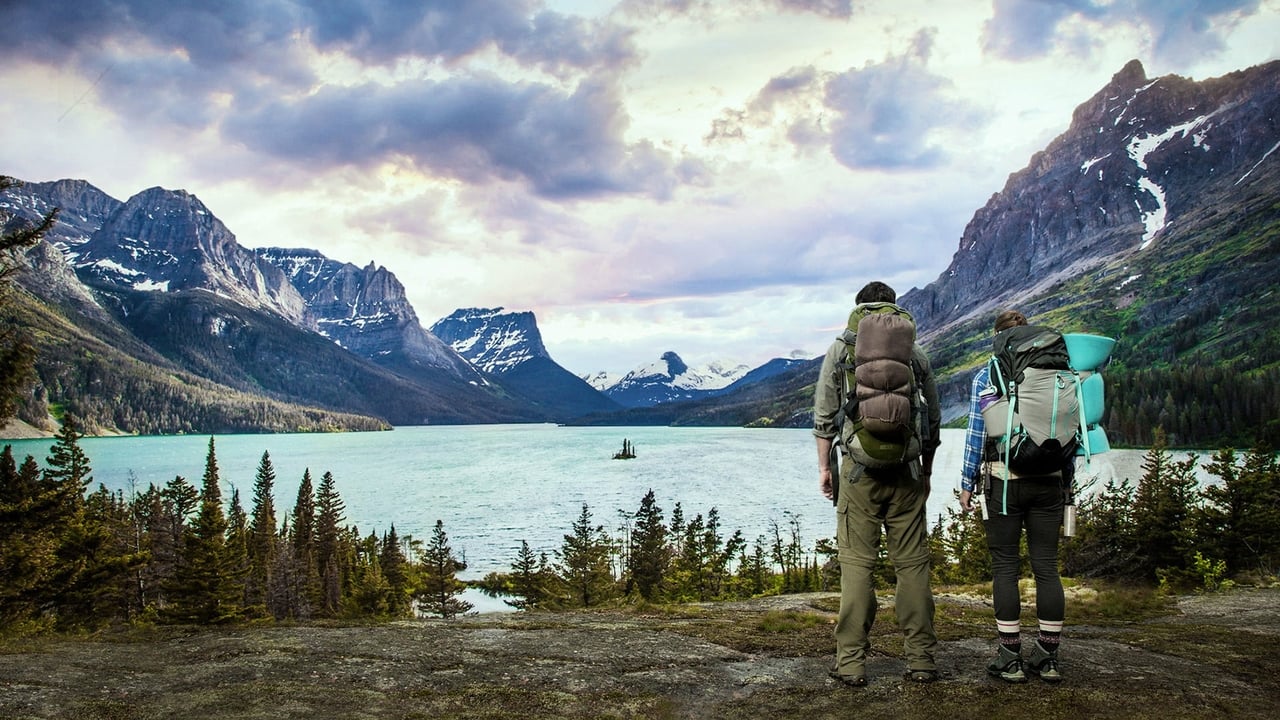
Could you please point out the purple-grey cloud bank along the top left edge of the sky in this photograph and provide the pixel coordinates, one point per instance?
(181, 61)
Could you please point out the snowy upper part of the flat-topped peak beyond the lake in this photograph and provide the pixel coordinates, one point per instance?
(491, 339)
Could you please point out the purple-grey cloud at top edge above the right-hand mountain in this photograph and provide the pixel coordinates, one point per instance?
(1022, 30)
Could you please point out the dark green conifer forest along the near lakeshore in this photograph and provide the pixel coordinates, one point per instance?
(77, 559)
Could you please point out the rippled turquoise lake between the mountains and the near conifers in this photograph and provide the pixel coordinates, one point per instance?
(495, 486)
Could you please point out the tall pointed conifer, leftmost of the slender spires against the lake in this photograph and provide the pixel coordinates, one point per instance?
(205, 590)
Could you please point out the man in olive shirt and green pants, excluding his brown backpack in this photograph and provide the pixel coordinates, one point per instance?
(889, 496)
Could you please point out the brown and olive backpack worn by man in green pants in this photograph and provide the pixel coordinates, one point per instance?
(883, 397)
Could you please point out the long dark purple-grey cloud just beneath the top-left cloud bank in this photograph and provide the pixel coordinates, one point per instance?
(470, 129)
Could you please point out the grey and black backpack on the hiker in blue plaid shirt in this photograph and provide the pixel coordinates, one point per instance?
(1035, 426)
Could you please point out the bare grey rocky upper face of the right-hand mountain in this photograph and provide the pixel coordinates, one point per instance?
(1140, 158)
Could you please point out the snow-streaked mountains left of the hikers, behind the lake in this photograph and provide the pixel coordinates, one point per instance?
(154, 290)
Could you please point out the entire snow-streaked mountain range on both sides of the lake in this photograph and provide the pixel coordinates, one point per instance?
(1154, 218)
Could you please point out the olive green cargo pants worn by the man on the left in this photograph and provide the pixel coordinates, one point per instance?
(894, 502)
